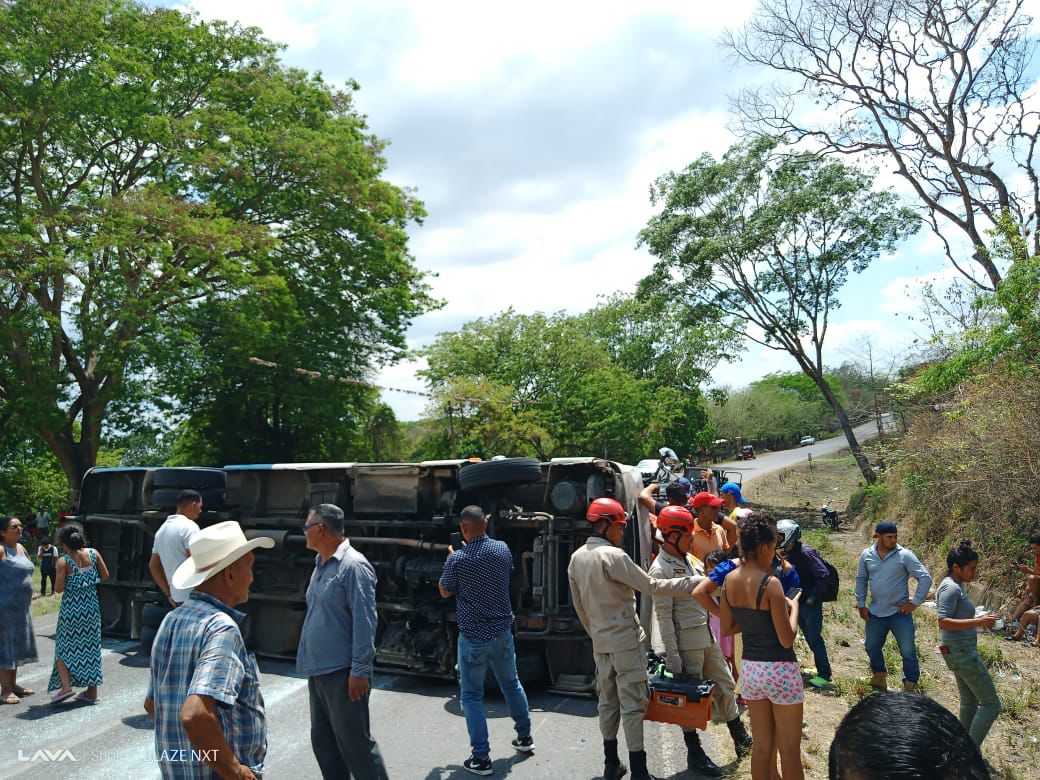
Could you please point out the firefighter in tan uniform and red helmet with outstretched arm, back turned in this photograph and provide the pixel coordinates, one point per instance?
(604, 583)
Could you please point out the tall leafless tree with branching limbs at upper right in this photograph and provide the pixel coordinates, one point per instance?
(942, 88)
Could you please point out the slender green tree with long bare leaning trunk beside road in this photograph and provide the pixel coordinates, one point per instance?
(771, 240)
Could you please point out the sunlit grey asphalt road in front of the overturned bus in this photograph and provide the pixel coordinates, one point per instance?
(419, 724)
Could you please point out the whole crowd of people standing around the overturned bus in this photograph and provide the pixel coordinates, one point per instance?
(731, 588)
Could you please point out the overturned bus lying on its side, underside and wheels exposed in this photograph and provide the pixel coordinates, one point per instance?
(401, 516)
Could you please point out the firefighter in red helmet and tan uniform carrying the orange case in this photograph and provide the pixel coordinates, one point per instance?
(690, 646)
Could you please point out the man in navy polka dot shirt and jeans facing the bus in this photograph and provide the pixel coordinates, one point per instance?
(479, 579)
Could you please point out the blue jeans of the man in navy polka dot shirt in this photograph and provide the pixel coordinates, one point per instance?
(475, 658)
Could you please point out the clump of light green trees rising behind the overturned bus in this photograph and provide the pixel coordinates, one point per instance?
(565, 385)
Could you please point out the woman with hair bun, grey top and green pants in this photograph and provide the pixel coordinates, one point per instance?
(958, 625)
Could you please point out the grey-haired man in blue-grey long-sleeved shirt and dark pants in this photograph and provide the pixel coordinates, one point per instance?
(337, 646)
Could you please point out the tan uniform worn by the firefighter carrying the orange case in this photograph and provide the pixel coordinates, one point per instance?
(685, 632)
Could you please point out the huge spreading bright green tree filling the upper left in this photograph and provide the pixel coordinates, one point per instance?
(154, 167)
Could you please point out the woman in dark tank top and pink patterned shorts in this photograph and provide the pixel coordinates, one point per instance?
(753, 604)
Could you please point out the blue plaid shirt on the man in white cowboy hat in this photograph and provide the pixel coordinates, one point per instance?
(199, 649)
